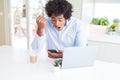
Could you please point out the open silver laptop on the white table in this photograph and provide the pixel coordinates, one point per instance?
(74, 57)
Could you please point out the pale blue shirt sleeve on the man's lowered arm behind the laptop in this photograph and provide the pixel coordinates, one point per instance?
(81, 35)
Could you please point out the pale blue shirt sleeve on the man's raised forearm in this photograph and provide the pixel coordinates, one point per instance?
(38, 42)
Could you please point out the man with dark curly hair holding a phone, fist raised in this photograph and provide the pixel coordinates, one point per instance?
(60, 29)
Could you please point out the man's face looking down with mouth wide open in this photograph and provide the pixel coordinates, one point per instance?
(58, 21)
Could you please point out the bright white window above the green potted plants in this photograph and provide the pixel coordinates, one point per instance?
(110, 10)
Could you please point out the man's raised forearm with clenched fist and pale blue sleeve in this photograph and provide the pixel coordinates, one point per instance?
(39, 39)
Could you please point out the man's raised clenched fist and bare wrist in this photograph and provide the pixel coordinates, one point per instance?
(41, 22)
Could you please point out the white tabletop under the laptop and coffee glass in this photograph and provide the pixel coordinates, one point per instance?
(15, 65)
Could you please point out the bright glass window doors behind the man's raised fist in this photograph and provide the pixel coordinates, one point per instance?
(24, 14)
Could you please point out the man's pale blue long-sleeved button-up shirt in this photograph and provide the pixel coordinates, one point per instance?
(72, 34)
